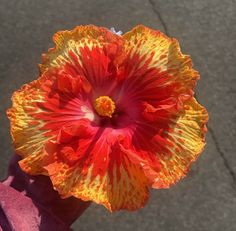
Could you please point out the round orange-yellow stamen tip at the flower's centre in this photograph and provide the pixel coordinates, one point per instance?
(104, 106)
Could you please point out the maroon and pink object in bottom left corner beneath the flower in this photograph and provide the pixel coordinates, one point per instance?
(29, 203)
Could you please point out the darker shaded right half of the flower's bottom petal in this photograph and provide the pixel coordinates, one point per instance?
(128, 184)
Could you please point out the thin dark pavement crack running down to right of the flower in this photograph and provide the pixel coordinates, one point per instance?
(225, 160)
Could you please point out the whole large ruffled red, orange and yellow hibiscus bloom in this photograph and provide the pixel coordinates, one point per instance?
(110, 116)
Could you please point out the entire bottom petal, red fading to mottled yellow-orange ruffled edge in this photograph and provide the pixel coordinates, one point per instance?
(105, 175)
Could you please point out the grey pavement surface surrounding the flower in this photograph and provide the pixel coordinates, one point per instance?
(206, 199)
